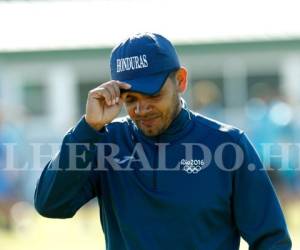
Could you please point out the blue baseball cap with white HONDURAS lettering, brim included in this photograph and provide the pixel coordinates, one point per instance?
(144, 61)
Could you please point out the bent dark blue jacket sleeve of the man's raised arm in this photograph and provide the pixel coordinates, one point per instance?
(69, 181)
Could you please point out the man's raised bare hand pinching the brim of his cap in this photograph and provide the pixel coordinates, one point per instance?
(104, 103)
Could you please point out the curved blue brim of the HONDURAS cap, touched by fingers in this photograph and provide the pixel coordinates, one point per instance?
(149, 85)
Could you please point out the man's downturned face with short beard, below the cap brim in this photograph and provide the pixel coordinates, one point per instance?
(153, 114)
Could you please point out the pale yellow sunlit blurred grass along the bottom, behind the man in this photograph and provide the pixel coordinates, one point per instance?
(33, 232)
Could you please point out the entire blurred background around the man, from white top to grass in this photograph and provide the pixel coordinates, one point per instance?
(243, 61)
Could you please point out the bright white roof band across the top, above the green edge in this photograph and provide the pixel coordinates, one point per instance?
(55, 25)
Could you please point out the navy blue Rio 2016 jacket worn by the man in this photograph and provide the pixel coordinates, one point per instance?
(195, 200)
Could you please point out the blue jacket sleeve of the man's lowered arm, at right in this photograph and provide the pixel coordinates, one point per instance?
(257, 211)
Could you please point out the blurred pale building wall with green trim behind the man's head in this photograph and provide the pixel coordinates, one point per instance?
(49, 87)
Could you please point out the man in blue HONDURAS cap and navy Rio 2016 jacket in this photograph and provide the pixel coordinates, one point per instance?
(165, 177)
